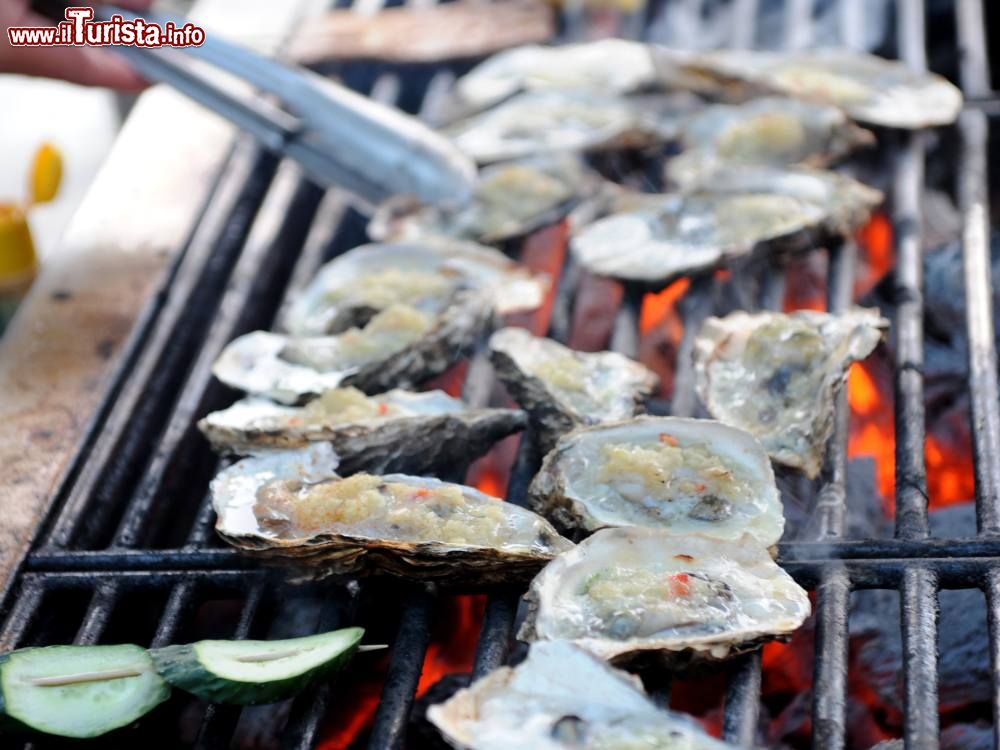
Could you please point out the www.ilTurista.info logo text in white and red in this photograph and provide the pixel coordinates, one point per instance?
(79, 29)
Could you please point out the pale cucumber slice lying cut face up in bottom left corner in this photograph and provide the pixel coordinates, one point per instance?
(79, 691)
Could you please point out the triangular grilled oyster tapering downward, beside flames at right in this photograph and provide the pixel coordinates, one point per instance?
(777, 376)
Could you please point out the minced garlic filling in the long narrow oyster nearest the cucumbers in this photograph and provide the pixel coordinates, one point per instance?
(368, 505)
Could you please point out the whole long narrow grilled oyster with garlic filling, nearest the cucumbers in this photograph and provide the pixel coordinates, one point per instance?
(291, 504)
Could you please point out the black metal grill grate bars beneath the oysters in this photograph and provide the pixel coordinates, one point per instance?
(128, 552)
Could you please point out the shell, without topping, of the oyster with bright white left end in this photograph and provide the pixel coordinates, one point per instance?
(259, 362)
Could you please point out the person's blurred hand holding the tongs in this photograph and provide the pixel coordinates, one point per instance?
(90, 66)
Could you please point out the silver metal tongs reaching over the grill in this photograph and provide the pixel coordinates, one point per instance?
(339, 137)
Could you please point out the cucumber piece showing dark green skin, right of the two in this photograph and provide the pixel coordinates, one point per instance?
(251, 672)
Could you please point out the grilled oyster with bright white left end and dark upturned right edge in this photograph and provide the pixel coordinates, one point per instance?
(400, 346)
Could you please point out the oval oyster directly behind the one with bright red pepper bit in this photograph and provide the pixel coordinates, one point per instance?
(686, 475)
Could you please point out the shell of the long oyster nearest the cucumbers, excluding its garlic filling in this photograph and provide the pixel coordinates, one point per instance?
(364, 547)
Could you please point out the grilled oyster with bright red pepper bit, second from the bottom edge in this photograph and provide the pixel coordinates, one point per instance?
(624, 593)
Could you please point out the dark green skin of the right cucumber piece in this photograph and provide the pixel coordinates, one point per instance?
(180, 666)
